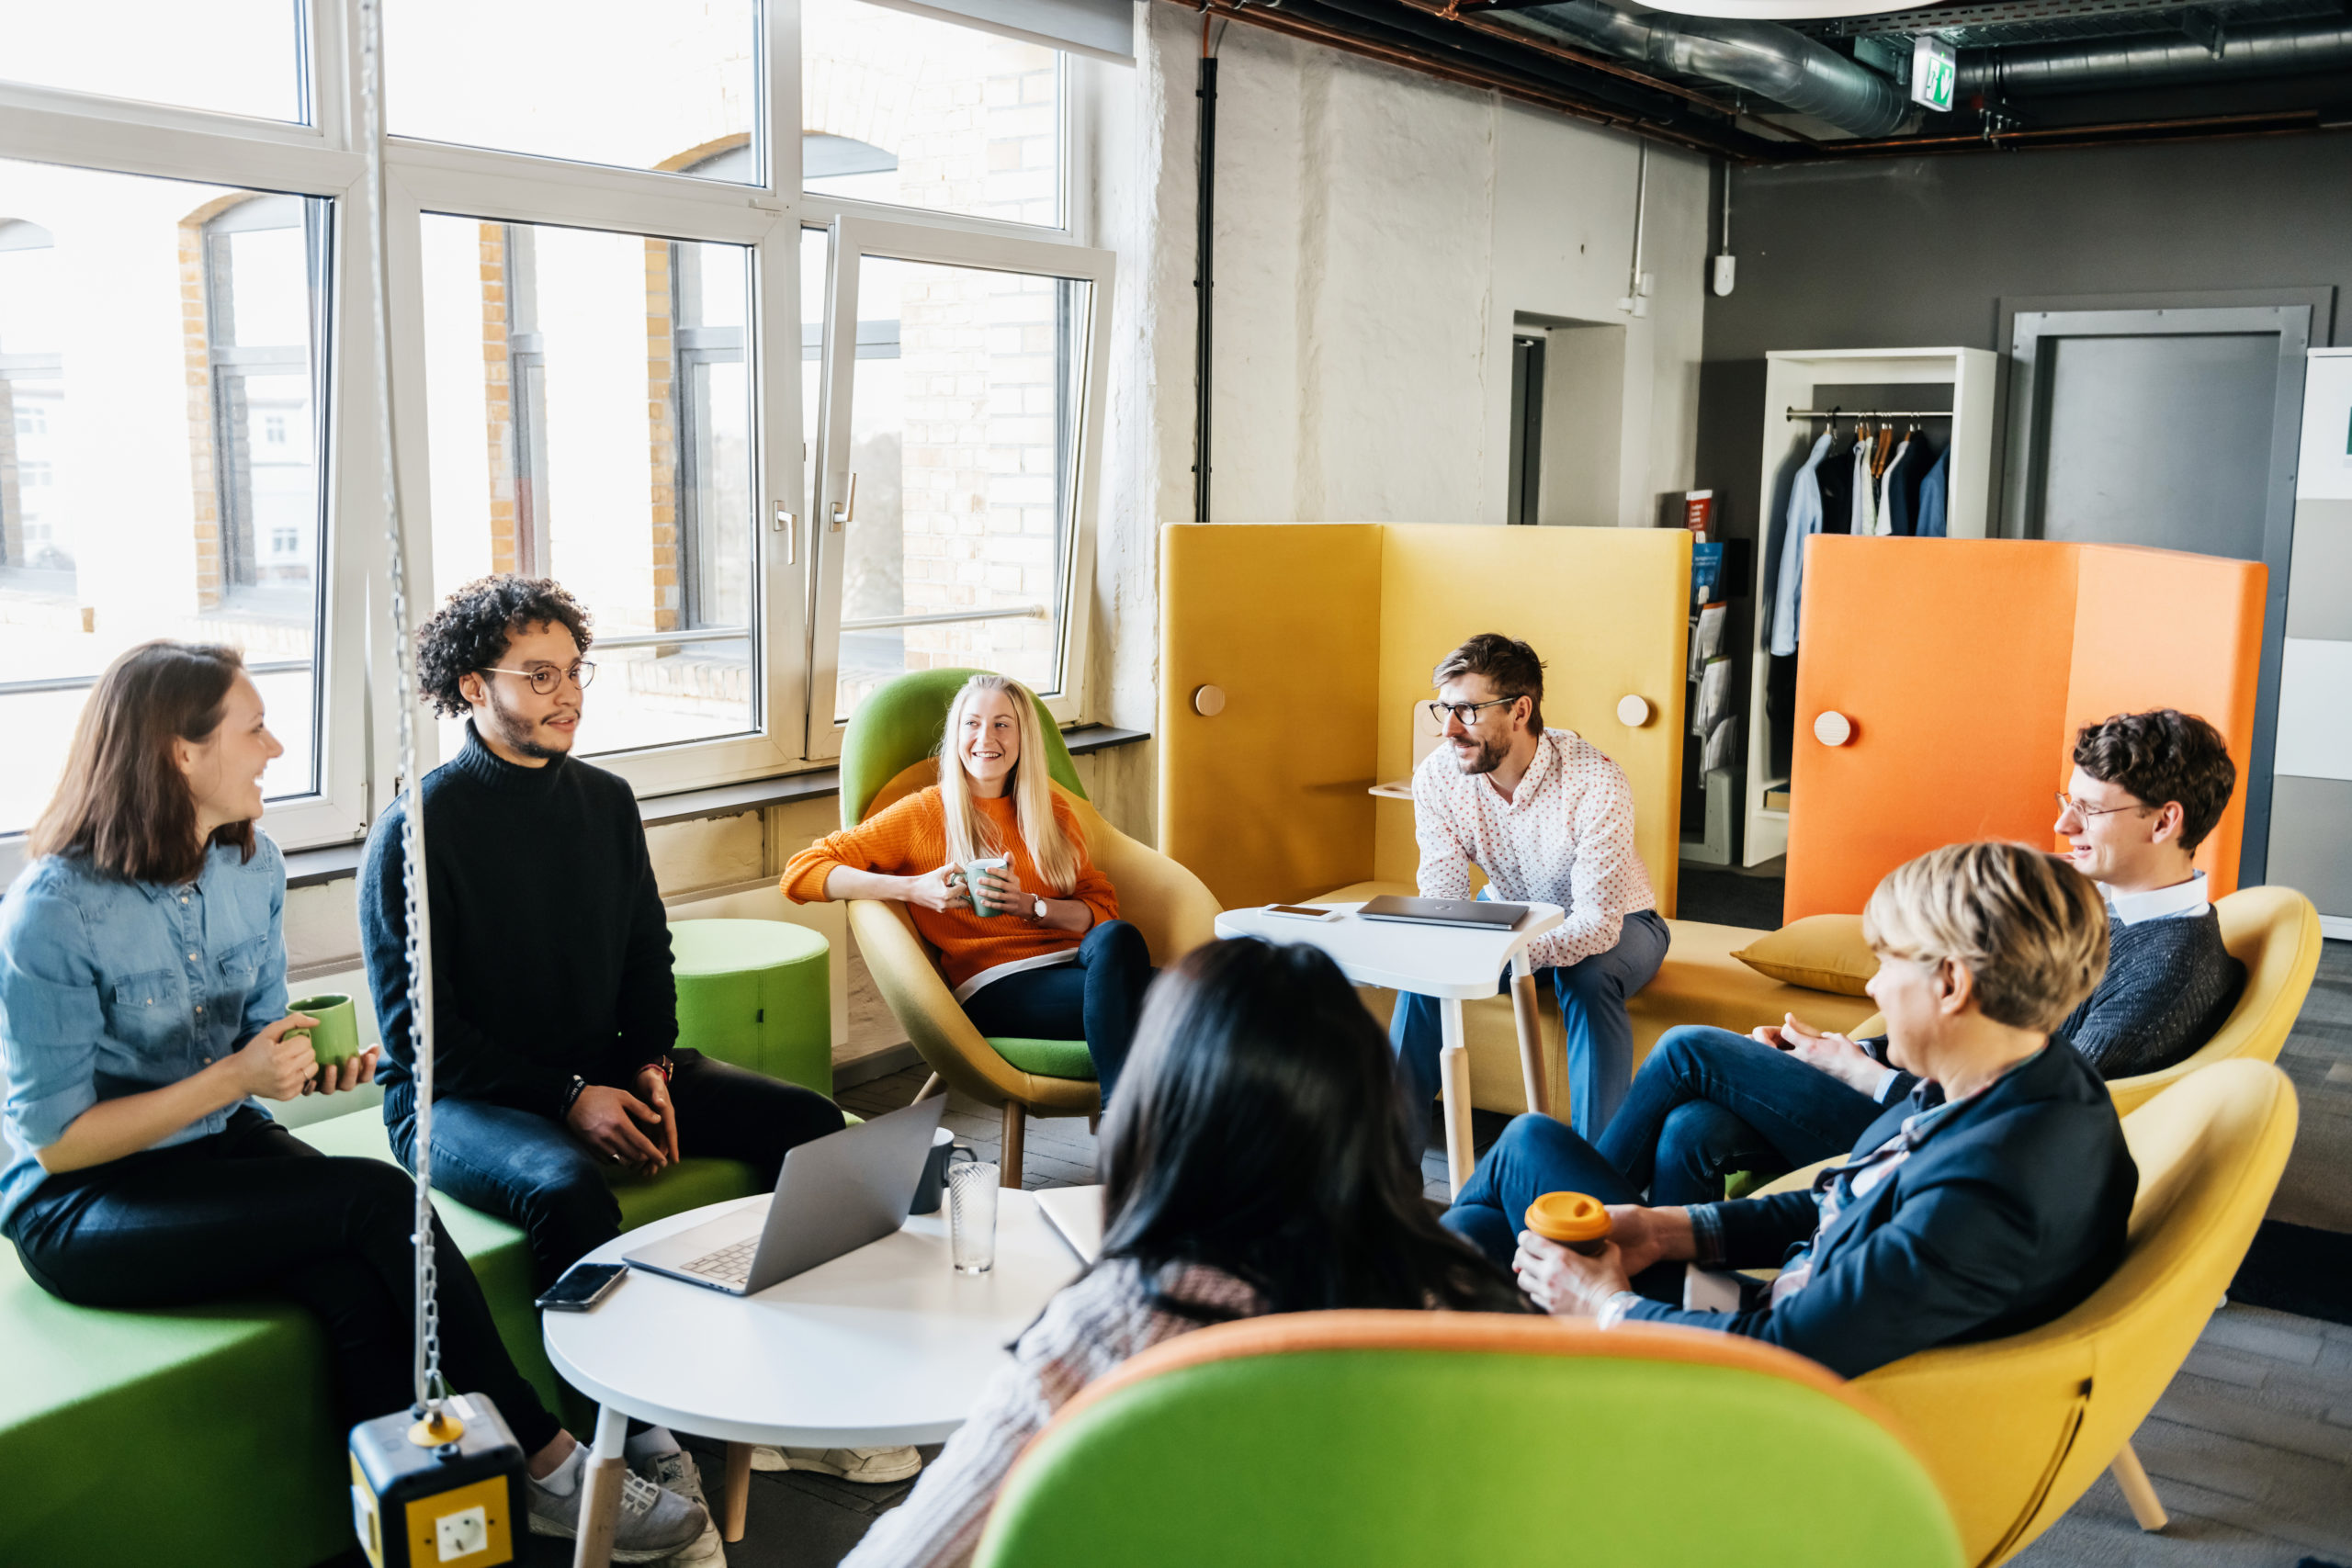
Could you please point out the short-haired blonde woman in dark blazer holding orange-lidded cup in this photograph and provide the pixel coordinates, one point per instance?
(1984, 1205)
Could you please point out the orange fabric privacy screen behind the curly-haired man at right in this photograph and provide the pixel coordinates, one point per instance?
(1965, 666)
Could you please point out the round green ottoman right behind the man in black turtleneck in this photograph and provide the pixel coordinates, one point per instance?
(756, 993)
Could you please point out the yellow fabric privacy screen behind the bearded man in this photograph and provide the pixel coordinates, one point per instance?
(1321, 638)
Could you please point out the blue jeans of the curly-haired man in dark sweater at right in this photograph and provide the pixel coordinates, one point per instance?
(1711, 1101)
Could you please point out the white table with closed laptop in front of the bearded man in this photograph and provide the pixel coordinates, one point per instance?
(1448, 963)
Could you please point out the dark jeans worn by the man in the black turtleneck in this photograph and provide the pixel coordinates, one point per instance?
(530, 1170)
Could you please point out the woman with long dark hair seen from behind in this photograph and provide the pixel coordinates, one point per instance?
(1255, 1162)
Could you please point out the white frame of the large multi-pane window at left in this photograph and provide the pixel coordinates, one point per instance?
(359, 728)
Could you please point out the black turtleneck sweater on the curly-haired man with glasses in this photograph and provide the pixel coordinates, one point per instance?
(552, 951)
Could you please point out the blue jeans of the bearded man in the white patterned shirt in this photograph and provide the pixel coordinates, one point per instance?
(1591, 1005)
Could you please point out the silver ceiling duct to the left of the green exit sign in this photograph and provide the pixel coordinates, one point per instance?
(1758, 58)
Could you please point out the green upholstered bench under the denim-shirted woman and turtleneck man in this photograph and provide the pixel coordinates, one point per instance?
(206, 1435)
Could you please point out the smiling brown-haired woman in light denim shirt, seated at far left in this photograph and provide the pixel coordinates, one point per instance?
(142, 1017)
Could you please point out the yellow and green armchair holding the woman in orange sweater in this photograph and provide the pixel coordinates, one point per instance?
(888, 753)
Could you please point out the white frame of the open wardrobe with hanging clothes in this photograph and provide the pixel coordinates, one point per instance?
(1791, 377)
